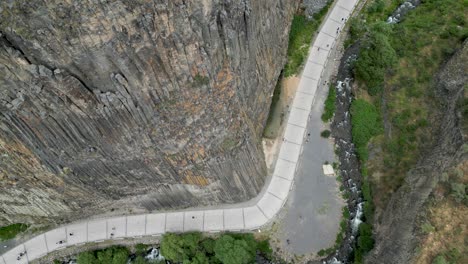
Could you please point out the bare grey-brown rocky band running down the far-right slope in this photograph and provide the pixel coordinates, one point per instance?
(396, 237)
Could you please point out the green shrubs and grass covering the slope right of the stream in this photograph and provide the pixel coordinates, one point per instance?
(395, 69)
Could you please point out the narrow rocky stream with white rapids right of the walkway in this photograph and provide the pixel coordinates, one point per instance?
(341, 131)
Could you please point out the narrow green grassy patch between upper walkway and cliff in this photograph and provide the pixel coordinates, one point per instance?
(300, 37)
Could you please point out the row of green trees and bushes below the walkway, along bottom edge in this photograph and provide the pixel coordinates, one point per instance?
(188, 248)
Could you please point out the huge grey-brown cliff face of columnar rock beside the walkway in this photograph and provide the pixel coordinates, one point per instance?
(134, 104)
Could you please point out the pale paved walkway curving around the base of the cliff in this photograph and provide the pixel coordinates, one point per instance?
(244, 217)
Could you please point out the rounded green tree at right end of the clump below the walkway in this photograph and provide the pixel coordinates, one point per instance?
(234, 251)
